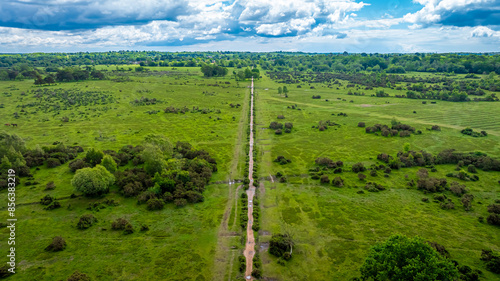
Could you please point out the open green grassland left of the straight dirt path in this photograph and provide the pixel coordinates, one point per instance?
(181, 243)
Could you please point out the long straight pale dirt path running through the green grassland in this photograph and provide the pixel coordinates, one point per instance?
(250, 244)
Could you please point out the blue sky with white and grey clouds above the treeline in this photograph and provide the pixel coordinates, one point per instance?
(371, 26)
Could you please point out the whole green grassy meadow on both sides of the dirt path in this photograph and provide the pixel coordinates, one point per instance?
(333, 227)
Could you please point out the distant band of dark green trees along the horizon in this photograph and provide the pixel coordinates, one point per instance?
(388, 63)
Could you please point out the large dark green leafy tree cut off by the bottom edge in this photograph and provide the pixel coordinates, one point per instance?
(403, 258)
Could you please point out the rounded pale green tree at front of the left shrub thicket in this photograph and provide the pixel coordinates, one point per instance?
(93, 181)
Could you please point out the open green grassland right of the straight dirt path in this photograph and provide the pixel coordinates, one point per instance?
(334, 227)
